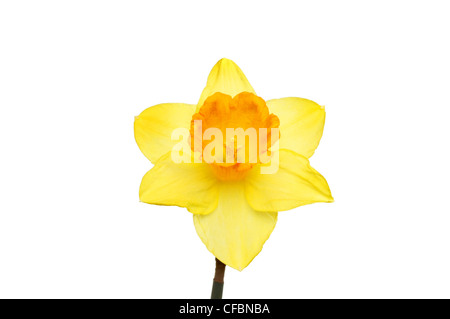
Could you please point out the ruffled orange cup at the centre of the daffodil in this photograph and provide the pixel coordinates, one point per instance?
(233, 134)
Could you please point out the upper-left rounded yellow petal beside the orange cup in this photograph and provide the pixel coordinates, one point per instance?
(154, 126)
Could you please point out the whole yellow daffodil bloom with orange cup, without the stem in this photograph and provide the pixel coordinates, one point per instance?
(234, 206)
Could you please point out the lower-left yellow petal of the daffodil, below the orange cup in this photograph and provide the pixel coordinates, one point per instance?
(187, 185)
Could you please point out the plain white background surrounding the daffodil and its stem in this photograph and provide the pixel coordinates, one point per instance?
(73, 74)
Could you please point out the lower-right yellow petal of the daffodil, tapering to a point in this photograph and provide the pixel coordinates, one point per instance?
(295, 183)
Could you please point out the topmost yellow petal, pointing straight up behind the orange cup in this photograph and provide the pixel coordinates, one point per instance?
(225, 77)
